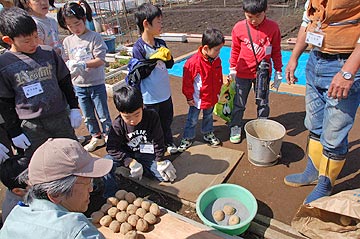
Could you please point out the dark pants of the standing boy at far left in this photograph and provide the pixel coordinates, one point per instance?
(40, 129)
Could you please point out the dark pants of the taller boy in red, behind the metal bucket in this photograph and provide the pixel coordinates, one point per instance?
(242, 90)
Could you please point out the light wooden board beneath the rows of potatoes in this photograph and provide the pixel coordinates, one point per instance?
(171, 226)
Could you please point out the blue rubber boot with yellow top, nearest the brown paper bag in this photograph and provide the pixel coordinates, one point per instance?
(328, 172)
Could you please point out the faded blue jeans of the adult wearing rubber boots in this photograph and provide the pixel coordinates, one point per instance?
(330, 118)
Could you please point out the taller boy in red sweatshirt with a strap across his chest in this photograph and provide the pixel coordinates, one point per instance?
(266, 37)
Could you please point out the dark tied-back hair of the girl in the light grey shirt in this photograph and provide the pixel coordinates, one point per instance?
(81, 10)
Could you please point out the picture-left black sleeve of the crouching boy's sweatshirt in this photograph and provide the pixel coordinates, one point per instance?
(116, 144)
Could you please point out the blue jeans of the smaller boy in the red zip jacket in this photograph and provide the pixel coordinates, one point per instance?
(192, 119)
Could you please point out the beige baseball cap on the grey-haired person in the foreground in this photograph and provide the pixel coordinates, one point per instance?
(58, 158)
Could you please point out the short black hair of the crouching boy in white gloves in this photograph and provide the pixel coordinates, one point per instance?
(128, 99)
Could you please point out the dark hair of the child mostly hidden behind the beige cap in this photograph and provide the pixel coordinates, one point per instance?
(11, 169)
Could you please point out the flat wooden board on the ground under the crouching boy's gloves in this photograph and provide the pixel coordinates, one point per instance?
(200, 163)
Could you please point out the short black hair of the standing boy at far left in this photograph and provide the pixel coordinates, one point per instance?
(15, 22)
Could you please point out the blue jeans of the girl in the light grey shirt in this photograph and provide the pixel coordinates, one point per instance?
(94, 99)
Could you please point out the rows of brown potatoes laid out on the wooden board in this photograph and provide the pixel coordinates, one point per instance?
(125, 211)
